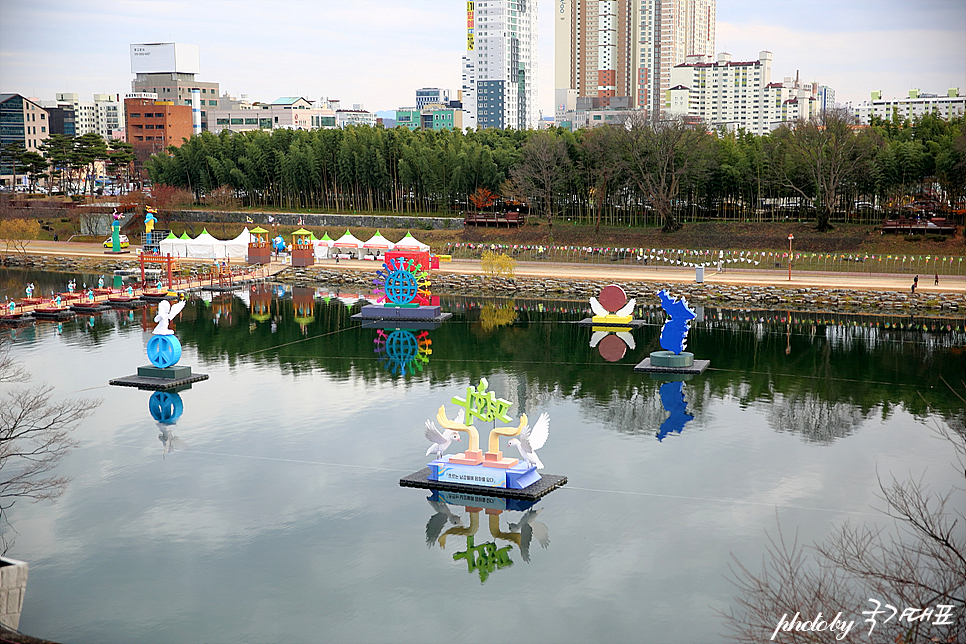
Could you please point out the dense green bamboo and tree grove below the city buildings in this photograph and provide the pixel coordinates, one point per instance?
(640, 174)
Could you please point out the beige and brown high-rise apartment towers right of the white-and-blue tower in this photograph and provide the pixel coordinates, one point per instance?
(621, 52)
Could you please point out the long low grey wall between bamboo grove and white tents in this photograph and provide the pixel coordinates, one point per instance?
(335, 222)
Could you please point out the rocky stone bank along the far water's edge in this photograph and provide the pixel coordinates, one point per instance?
(772, 297)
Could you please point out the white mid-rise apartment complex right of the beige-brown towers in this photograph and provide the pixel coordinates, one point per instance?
(730, 94)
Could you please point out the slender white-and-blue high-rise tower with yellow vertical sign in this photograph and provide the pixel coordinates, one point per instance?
(500, 65)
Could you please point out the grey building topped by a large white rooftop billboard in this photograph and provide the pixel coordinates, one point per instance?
(169, 70)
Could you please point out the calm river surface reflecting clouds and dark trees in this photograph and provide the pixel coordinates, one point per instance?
(271, 510)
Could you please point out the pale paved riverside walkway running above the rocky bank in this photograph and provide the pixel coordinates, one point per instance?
(734, 276)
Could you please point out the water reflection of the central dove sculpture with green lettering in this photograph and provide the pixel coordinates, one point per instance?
(522, 529)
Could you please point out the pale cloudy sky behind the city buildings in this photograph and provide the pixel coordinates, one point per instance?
(377, 52)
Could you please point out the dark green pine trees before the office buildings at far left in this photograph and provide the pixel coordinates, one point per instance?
(69, 164)
